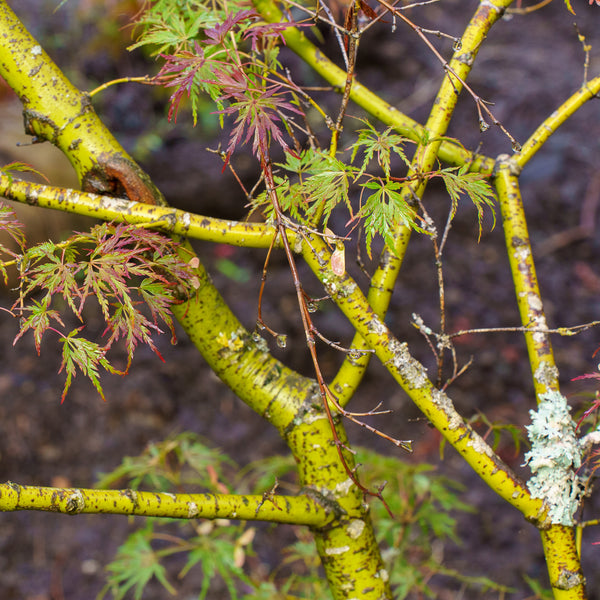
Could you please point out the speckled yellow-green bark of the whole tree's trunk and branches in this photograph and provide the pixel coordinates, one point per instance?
(330, 502)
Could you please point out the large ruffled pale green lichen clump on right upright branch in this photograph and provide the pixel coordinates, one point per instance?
(554, 456)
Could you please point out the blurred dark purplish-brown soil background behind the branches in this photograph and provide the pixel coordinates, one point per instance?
(527, 67)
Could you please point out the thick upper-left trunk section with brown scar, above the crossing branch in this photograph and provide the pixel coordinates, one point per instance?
(57, 111)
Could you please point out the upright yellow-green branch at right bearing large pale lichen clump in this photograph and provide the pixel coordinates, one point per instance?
(559, 542)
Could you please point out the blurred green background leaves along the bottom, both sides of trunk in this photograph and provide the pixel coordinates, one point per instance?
(424, 505)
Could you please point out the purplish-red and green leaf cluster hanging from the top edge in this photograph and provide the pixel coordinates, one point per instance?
(223, 50)
